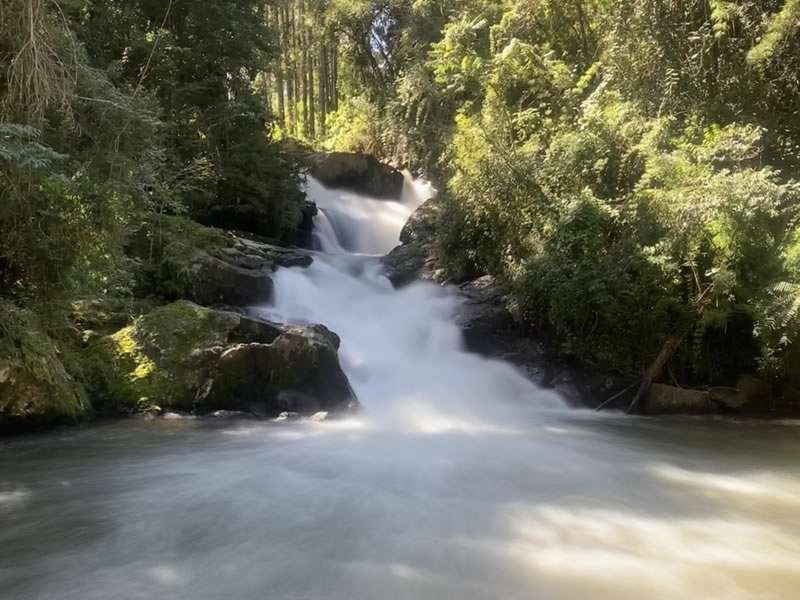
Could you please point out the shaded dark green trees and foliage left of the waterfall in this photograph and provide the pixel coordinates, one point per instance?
(111, 111)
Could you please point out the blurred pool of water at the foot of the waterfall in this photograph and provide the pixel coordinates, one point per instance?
(565, 506)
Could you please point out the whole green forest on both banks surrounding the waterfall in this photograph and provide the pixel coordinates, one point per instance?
(629, 169)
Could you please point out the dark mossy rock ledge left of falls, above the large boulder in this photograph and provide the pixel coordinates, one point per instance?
(183, 260)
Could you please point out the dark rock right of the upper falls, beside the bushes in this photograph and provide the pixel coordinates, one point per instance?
(415, 259)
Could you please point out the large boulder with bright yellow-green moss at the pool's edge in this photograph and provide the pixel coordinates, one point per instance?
(189, 358)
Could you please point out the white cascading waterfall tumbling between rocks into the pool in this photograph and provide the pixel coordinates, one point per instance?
(401, 348)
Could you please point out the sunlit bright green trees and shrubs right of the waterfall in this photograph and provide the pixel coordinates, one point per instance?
(629, 167)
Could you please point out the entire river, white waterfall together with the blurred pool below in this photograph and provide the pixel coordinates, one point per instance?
(459, 480)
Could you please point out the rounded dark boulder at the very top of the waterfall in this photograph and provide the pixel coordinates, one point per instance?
(361, 173)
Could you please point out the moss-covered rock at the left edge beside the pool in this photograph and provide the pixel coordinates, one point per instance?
(35, 388)
